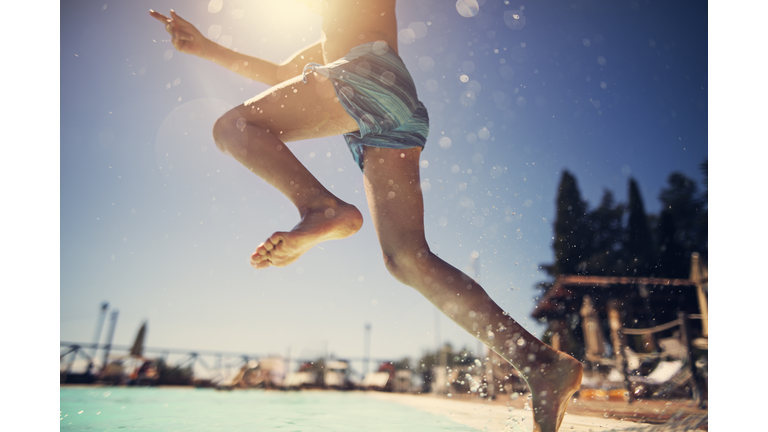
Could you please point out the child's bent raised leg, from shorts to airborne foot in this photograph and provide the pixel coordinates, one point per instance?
(255, 134)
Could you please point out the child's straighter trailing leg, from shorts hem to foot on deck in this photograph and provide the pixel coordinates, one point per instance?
(393, 190)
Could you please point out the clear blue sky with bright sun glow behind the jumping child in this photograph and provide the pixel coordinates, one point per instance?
(160, 224)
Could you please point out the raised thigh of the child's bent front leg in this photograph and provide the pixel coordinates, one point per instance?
(294, 110)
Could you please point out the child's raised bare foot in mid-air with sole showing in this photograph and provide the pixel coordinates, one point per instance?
(331, 221)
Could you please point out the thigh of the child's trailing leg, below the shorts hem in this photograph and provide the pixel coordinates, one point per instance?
(393, 189)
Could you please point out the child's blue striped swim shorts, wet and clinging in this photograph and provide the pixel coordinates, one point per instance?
(375, 88)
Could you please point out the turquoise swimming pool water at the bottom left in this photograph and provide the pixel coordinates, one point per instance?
(189, 409)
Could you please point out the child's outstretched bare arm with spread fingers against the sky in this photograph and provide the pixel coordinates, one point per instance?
(187, 39)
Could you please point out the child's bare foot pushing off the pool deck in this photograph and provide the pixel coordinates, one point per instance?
(551, 390)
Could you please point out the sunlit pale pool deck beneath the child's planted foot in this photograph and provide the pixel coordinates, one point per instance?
(581, 416)
